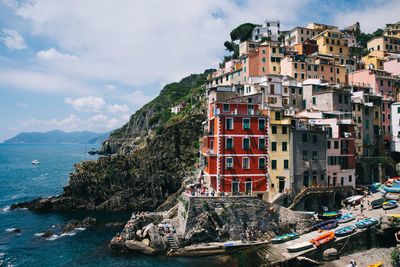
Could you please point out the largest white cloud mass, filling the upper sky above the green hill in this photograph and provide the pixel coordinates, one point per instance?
(119, 41)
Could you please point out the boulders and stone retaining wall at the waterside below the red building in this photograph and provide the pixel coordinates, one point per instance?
(205, 225)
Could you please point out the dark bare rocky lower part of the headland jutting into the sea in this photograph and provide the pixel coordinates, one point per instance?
(141, 180)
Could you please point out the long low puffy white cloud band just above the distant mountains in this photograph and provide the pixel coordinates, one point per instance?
(96, 123)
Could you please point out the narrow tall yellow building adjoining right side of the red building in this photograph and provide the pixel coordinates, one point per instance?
(279, 153)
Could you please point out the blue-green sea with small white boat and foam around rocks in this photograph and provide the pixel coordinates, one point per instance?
(21, 181)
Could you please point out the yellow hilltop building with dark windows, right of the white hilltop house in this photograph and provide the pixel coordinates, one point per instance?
(331, 42)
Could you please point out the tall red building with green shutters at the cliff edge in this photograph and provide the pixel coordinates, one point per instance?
(235, 148)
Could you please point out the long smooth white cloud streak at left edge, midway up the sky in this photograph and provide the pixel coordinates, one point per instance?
(41, 82)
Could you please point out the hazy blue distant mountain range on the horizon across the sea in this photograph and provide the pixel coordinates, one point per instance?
(58, 137)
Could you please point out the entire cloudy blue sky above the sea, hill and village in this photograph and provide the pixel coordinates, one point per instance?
(89, 64)
